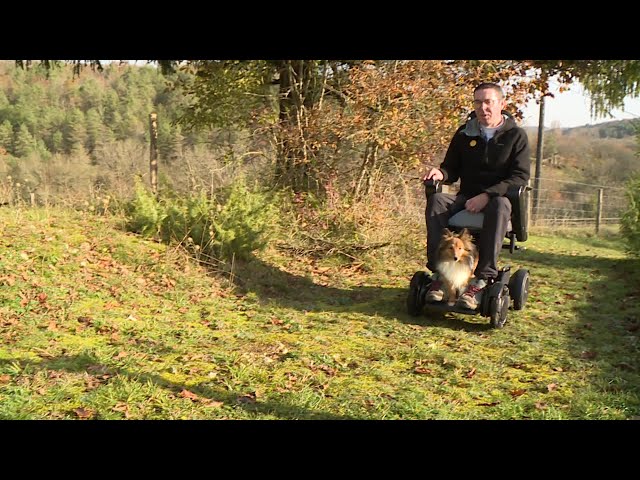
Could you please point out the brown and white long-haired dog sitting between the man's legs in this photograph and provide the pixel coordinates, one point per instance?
(457, 260)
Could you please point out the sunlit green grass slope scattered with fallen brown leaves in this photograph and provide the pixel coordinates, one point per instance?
(99, 324)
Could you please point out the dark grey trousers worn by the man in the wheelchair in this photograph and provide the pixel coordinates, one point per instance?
(497, 213)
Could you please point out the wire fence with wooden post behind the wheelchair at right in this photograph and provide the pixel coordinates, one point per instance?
(570, 204)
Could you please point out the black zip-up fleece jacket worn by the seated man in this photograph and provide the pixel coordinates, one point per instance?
(489, 167)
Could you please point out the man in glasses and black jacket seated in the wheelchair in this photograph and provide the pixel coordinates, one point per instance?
(488, 154)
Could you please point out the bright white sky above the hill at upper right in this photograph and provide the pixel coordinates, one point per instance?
(572, 109)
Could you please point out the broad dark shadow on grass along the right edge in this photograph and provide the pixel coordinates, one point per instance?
(605, 332)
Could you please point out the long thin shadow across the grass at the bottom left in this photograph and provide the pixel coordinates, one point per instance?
(89, 363)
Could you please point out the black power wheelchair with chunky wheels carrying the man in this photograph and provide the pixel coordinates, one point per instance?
(497, 296)
